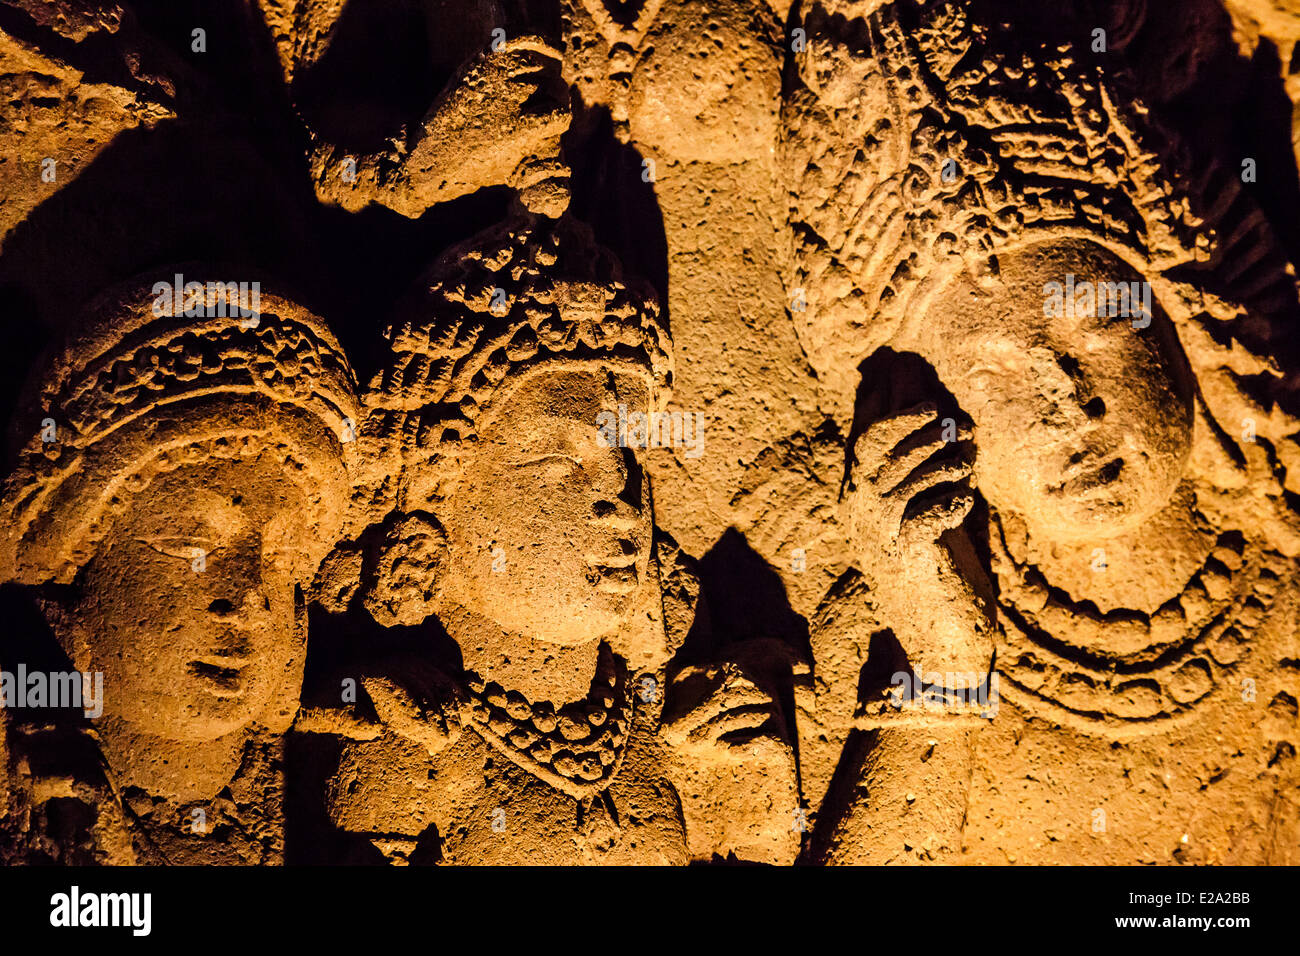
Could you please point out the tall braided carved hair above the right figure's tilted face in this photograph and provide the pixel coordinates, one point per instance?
(1039, 148)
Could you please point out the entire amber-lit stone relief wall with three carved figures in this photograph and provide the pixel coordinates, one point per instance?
(825, 432)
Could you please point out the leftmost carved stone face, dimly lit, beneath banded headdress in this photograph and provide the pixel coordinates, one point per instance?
(190, 602)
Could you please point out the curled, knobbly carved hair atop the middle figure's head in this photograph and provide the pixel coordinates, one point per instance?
(517, 297)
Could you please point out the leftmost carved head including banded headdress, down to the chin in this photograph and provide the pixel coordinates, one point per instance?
(196, 479)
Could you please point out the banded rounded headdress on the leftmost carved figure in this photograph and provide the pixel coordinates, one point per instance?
(145, 388)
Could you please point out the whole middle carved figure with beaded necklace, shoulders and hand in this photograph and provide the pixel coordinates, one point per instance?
(523, 521)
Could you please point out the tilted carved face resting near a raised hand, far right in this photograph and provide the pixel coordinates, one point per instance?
(1082, 421)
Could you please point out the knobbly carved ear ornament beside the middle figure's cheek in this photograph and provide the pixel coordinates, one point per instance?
(408, 566)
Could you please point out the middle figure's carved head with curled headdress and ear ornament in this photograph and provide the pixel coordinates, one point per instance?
(499, 397)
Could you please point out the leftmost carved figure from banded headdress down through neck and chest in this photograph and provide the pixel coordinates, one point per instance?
(179, 479)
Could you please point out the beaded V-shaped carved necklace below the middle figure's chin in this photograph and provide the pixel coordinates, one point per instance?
(578, 749)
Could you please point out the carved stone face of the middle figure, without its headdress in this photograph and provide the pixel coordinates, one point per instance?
(549, 533)
